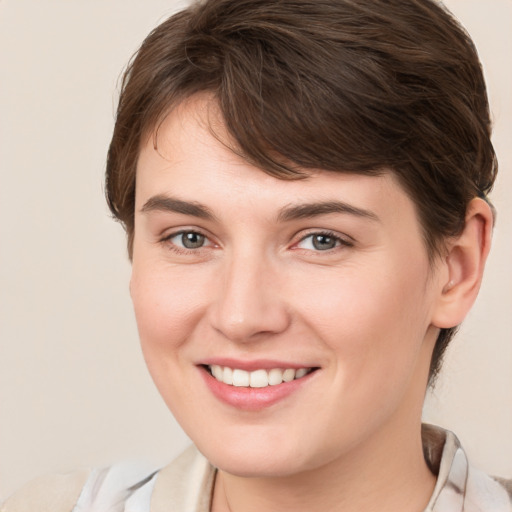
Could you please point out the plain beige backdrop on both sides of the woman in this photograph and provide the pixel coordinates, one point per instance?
(73, 387)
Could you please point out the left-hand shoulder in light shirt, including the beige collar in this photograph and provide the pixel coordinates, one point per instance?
(185, 484)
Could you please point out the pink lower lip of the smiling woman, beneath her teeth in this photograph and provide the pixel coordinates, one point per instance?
(252, 399)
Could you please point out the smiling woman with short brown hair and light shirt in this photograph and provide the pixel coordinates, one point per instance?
(304, 189)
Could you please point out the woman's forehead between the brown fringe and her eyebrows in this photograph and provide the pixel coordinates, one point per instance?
(191, 156)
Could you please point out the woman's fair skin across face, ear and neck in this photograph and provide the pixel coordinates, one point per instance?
(328, 275)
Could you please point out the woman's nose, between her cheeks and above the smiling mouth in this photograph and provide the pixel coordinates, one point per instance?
(249, 305)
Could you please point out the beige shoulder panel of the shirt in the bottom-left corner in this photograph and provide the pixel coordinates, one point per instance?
(52, 493)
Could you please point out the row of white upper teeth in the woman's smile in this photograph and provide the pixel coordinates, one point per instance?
(258, 378)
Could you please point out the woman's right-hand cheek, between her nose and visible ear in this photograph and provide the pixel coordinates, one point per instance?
(374, 322)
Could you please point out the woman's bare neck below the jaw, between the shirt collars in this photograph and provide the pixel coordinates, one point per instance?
(388, 473)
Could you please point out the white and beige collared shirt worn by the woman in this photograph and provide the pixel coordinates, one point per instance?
(186, 485)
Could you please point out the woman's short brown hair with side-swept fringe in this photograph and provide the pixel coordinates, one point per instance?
(358, 86)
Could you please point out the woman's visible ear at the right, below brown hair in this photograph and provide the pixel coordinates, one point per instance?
(464, 266)
